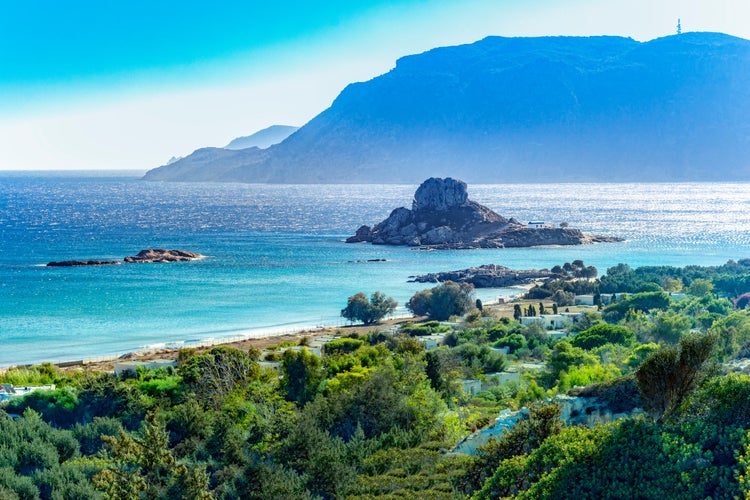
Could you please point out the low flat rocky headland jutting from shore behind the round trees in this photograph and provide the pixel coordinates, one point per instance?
(487, 276)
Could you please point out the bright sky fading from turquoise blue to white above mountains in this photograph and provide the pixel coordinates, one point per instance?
(114, 84)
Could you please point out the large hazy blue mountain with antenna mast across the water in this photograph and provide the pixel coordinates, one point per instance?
(546, 109)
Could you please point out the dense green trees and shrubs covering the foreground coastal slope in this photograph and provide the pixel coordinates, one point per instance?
(665, 395)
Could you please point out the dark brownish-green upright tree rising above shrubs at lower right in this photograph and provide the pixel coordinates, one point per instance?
(669, 374)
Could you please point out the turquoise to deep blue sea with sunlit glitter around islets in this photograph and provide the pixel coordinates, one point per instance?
(276, 258)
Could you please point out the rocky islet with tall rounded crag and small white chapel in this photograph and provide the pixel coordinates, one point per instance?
(443, 217)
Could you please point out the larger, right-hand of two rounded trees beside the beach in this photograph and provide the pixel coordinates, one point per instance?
(443, 301)
